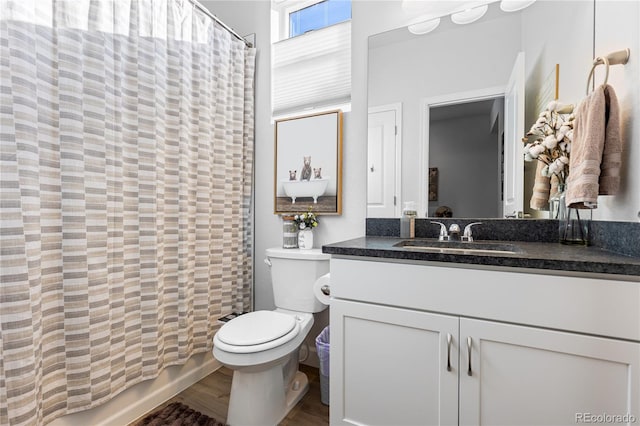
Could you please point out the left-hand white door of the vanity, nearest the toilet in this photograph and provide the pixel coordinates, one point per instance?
(389, 366)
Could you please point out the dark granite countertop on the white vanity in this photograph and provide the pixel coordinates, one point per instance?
(530, 255)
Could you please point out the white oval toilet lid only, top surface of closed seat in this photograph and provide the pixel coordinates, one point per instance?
(256, 328)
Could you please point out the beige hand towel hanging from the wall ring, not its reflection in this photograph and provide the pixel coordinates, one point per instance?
(596, 151)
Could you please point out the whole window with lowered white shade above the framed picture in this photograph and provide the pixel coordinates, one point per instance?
(311, 56)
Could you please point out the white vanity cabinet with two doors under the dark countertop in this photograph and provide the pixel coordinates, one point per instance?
(543, 349)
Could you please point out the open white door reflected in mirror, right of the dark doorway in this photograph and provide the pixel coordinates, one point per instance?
(513, 203)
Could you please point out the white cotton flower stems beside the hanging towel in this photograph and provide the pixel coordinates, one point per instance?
(549, 140)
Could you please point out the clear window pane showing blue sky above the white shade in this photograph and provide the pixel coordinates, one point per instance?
(319, 15)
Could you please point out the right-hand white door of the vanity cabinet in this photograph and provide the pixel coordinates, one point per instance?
(528, 376)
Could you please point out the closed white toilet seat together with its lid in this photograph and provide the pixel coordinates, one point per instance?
(256, 331)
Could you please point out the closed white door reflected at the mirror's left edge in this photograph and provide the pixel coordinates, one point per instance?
(383, 167)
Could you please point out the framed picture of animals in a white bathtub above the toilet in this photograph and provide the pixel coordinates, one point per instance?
(308, 164)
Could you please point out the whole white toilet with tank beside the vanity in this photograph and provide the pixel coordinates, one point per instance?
(262, 347)
